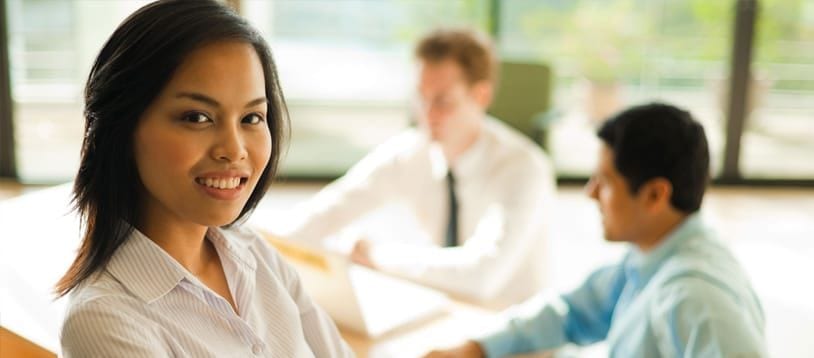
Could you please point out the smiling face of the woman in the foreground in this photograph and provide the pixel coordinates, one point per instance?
(203, 143)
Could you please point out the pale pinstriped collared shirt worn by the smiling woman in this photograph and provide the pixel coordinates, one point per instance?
(145, 304)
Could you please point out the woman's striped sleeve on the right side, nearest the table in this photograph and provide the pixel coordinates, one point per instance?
(320, 331)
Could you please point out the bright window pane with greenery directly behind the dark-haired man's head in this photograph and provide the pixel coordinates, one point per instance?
(609, 54)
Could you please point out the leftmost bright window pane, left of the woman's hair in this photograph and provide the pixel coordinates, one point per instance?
(52, 44)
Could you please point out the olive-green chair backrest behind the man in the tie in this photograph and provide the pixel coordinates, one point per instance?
(523, 95)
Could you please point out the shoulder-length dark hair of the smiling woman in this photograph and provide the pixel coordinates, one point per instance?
(132, 68)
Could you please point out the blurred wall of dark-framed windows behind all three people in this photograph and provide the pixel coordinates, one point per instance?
(347, 70)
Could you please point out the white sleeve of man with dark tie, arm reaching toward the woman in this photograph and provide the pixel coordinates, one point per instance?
(365, 187)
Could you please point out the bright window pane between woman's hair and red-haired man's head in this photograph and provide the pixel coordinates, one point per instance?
(347, 70)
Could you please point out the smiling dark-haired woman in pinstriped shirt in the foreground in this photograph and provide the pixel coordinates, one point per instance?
(184, 128)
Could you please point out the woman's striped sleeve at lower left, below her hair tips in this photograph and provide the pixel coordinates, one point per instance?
(99, 329)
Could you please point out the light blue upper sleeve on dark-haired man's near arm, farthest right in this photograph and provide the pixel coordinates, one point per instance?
(697, 318)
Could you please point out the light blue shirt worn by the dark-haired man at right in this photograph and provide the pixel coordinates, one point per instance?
(688, 297)
